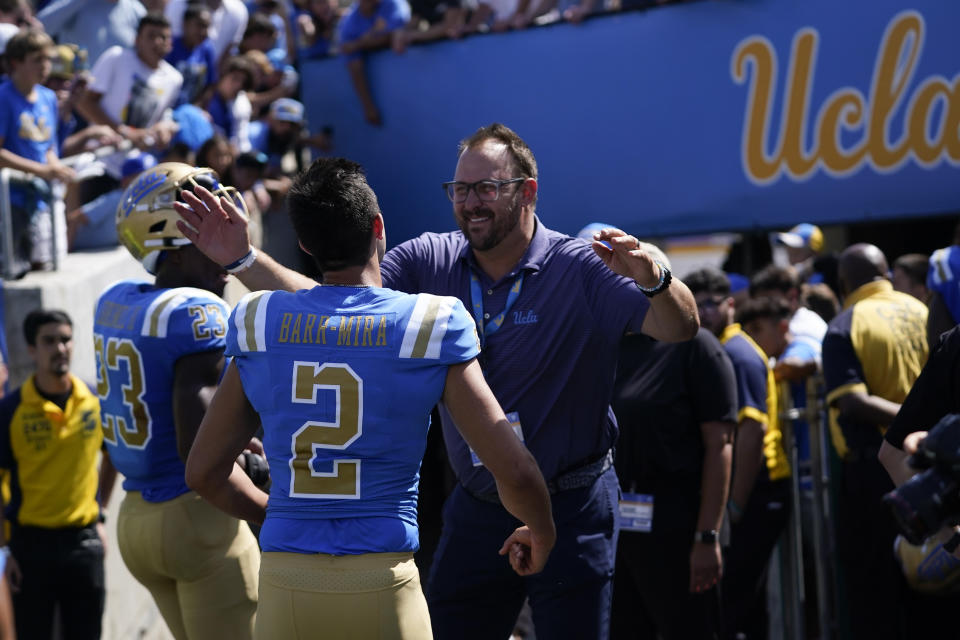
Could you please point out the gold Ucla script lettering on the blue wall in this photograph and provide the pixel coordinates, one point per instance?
(846, 110)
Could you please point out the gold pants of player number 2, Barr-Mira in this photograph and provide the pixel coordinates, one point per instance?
(374, 595)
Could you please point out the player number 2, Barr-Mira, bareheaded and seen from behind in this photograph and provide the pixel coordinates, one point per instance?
(343, 377)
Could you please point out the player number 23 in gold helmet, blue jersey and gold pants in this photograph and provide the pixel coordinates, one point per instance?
(160, 353)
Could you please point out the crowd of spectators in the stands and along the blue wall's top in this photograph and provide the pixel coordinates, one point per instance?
(162, 77)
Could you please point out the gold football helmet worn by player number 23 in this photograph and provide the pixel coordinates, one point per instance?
(146, 220)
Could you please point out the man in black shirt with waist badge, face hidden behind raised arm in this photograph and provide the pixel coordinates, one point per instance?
(676, 404)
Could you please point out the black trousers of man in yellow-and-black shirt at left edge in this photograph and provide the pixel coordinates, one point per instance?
(61, 568)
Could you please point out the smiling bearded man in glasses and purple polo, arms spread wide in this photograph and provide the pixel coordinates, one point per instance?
(550, 311)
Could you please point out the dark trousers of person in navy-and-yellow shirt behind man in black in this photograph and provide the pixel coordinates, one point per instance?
(752, 540)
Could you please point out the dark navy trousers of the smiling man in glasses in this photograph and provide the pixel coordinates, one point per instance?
(473, 592)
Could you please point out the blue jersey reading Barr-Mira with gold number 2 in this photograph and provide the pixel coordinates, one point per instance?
(344, 379)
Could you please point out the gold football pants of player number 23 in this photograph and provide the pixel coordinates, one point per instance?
(200, 565)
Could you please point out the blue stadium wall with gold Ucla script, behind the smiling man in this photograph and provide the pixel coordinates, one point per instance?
(708, 116)
